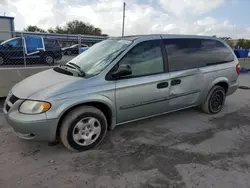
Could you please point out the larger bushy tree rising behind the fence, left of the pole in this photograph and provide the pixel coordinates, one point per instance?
(77, 27)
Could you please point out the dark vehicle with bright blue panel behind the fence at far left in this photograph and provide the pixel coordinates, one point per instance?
(32, 49)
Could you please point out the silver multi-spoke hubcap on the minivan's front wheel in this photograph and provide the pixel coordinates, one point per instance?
(86, 131)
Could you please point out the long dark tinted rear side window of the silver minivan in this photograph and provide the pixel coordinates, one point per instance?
(195, 53)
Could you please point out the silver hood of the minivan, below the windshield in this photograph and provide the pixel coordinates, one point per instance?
(48, 80)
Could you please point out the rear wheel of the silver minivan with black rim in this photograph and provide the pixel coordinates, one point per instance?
(217, 93)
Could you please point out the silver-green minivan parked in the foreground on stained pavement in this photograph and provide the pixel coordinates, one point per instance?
(120, 80)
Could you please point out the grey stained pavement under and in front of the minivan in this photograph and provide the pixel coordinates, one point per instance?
(186, 149)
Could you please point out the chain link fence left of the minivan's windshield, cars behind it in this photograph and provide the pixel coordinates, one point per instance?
(25, 49)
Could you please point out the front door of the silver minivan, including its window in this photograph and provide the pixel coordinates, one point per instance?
(145, 92)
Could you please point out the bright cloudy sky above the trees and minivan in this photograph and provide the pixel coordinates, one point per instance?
(224, 18)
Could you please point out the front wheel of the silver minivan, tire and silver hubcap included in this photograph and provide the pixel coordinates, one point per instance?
(75, 133)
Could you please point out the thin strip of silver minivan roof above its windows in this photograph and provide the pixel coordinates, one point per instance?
(164, 36)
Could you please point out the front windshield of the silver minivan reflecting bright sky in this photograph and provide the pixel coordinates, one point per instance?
(99, 56)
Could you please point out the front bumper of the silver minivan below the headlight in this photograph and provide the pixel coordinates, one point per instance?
(31, 127)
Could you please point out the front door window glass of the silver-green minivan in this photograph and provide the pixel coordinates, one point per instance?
(145, 59)
